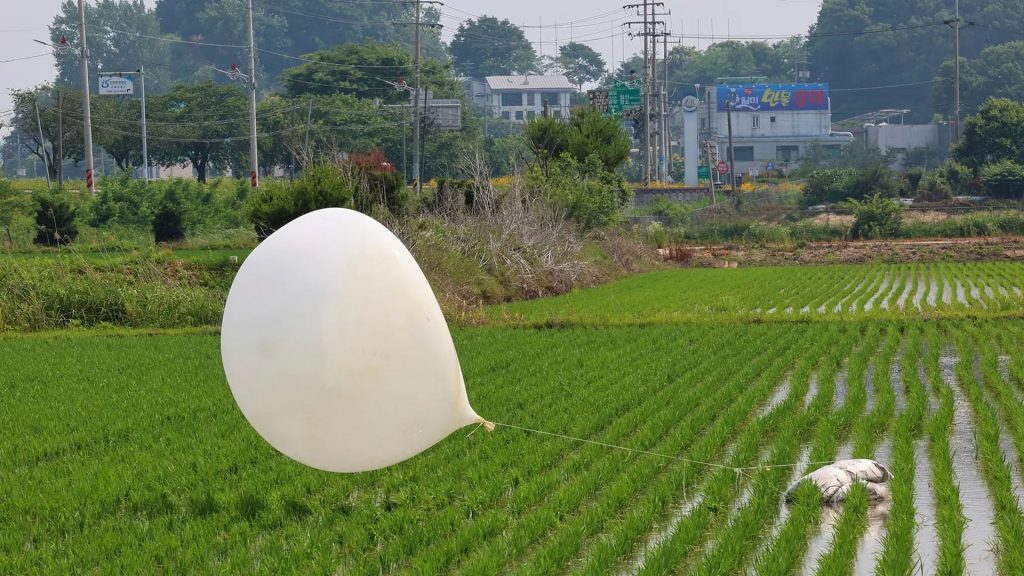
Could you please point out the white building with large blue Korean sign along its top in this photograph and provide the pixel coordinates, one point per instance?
(772, 124)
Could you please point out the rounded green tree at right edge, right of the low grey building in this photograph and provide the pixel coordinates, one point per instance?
(996, 134)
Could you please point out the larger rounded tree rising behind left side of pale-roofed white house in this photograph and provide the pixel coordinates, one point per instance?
(488, 47)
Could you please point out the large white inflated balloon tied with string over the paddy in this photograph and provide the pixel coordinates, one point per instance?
(336, 350)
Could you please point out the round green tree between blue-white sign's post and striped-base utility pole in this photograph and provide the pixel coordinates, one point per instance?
(200, 125)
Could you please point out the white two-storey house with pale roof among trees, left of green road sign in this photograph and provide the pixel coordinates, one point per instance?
(522, 98)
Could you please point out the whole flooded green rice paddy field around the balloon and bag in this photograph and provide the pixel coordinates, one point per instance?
(125, 454)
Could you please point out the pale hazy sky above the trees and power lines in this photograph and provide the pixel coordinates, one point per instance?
(598, 23)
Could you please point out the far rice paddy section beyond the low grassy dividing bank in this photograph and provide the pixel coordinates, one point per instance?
(877, 292)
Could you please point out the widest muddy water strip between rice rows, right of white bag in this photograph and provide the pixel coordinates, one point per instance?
(979, 537)
